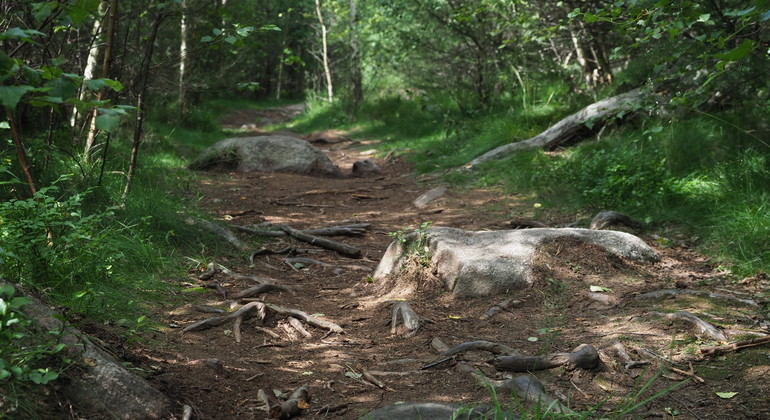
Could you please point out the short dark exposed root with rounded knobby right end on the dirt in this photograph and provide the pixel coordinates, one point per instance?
(584, 356)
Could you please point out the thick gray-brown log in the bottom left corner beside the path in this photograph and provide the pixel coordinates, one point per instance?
(100, 387)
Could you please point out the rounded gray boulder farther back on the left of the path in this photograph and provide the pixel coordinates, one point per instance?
(268, 154)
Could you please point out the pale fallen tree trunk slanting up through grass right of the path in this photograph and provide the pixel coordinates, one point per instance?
(568, 129)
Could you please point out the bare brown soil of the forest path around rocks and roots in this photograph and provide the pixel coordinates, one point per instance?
(220, 378)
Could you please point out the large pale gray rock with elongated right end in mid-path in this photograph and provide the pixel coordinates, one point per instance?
(493, 262)
